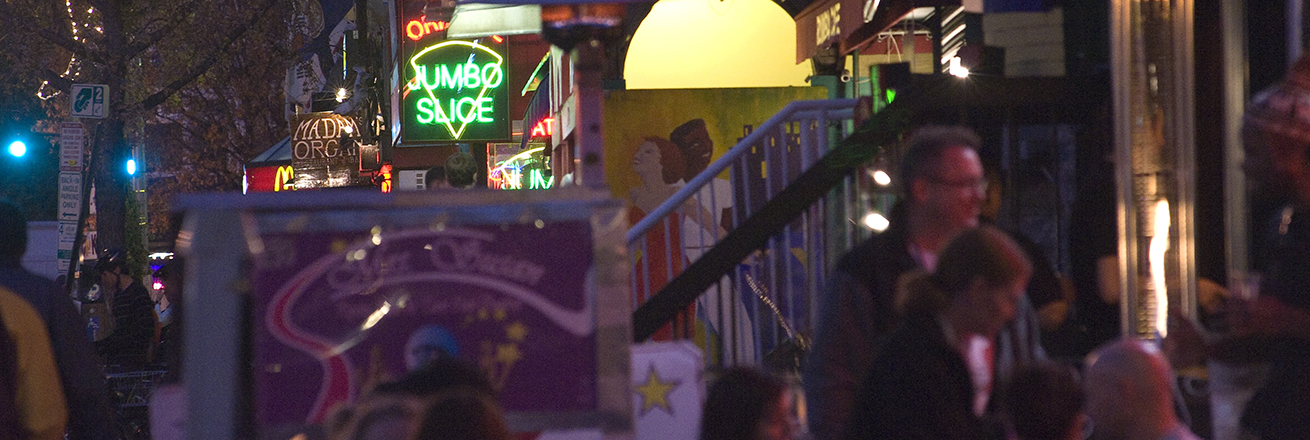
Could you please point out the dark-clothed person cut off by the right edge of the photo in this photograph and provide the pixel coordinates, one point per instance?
(1277, 138)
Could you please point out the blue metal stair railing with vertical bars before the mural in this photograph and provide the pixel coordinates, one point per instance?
(739, 261)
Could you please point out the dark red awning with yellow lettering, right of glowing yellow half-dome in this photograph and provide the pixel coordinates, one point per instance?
(851, 23)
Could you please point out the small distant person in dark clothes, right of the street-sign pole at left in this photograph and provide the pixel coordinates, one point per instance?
(134, 314)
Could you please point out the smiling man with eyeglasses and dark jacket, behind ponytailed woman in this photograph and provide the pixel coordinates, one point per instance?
(944, 189)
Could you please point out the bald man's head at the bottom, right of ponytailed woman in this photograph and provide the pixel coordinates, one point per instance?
(1129, 388)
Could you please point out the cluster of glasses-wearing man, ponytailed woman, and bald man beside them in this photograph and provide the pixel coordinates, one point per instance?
(929, 329)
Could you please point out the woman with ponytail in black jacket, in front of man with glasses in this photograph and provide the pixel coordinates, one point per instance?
(933, 376)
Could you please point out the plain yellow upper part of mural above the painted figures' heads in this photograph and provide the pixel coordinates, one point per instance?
(632, 116)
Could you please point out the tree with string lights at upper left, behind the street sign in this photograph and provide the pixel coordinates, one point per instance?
(209, 70)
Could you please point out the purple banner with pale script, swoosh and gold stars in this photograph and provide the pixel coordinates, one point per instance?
(336, 311)
